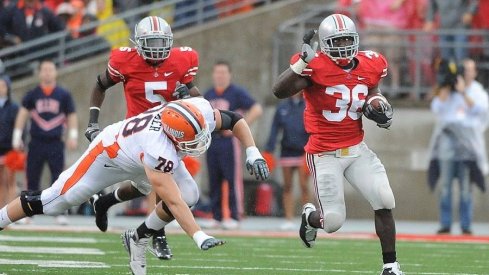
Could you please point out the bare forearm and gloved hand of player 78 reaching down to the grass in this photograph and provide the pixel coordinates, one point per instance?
(166, 188)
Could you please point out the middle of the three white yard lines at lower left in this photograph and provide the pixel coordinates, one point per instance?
(51, 250)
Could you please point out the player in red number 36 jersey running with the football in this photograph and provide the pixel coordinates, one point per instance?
(336, 81)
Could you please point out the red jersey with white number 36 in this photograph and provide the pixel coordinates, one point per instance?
(333, 112)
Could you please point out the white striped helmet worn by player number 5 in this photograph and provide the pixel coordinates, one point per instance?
(153, 38)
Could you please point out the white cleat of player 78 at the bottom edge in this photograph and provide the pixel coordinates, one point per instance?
(136, 250)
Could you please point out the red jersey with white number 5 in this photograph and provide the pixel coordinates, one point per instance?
(146, 86)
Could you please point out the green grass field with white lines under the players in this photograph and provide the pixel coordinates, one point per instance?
(102, 253)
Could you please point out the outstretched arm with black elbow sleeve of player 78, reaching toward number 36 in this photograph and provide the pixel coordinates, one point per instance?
(255, 163)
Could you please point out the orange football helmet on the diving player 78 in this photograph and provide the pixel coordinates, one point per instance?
(185, 125)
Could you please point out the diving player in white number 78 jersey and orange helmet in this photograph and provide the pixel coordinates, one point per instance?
(146, 147)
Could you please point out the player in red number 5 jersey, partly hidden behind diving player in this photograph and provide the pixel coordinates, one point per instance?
(152, 73)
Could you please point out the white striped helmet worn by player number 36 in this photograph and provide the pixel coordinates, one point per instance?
(332, 30)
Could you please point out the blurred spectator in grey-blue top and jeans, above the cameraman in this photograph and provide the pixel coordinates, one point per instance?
(456, 16)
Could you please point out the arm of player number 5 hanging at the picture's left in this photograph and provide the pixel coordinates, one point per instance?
(96, 99)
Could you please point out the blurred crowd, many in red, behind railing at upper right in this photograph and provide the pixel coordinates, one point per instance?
(382, 21)
